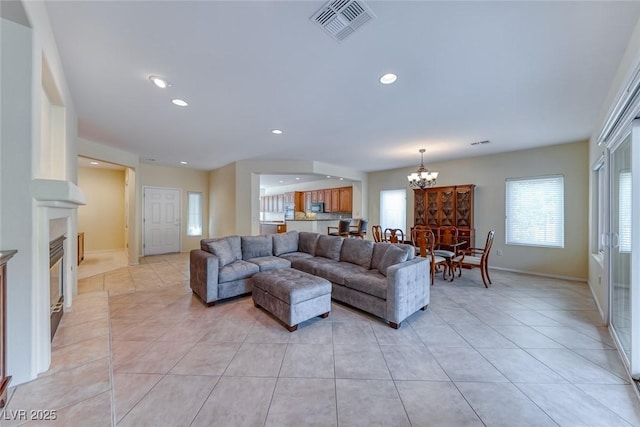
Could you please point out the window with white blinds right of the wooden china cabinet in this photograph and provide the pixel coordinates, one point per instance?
(535, 211)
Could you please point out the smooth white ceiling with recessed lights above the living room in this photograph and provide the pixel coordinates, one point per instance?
(520, 74)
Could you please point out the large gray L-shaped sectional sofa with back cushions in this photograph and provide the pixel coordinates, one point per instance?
(383, 279)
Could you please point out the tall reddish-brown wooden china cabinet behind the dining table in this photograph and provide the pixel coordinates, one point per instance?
(446, 206)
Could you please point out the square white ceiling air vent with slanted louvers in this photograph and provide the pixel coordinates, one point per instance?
(341, 18)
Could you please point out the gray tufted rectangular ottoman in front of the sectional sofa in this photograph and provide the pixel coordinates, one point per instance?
(292, 296)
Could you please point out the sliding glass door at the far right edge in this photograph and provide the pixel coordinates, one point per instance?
(623, 254)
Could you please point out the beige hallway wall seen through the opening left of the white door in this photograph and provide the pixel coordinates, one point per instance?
(102, 218)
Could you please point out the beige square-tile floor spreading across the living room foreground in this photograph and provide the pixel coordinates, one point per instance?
(138, 349)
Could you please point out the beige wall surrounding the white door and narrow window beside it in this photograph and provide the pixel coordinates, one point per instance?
(184, 179)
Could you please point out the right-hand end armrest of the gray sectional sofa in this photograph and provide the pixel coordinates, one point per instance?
(408, 288)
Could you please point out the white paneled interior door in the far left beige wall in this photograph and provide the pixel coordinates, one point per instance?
(162, 221)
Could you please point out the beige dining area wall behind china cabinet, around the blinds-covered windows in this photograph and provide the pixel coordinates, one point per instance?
(488, 173)
